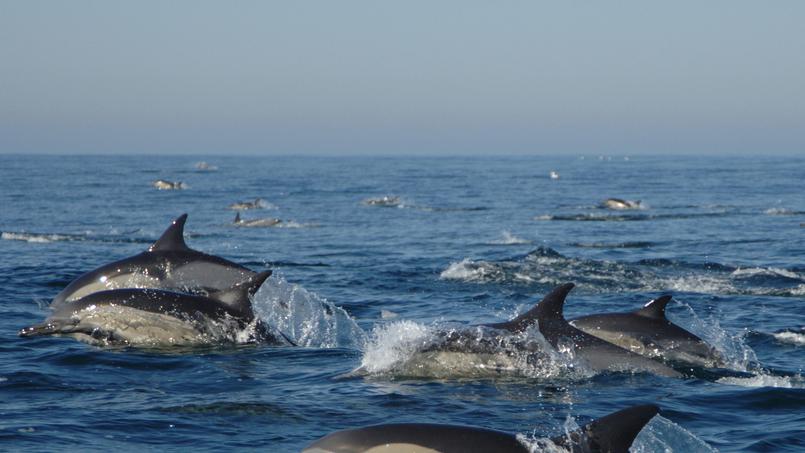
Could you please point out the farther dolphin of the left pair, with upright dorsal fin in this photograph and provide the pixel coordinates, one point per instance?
(168, 264)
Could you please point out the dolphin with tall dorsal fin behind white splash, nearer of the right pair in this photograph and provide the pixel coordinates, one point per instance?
(600, 355)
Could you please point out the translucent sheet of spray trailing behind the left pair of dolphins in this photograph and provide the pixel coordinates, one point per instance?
(306, 318)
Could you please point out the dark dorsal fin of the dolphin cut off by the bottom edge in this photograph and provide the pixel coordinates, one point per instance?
(614, 432)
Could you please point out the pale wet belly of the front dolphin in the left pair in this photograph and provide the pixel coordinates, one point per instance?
(111, 324)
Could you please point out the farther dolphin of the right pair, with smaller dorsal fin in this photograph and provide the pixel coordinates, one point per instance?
(649, 333)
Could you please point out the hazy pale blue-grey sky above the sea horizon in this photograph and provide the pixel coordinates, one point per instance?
(413, 77)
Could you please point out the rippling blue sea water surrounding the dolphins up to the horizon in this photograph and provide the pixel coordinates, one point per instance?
(473, 239)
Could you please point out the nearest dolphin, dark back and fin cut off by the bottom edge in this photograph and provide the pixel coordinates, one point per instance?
(613, 433)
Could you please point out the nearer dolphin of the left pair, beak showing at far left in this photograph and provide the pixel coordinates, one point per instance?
(154, 317)
